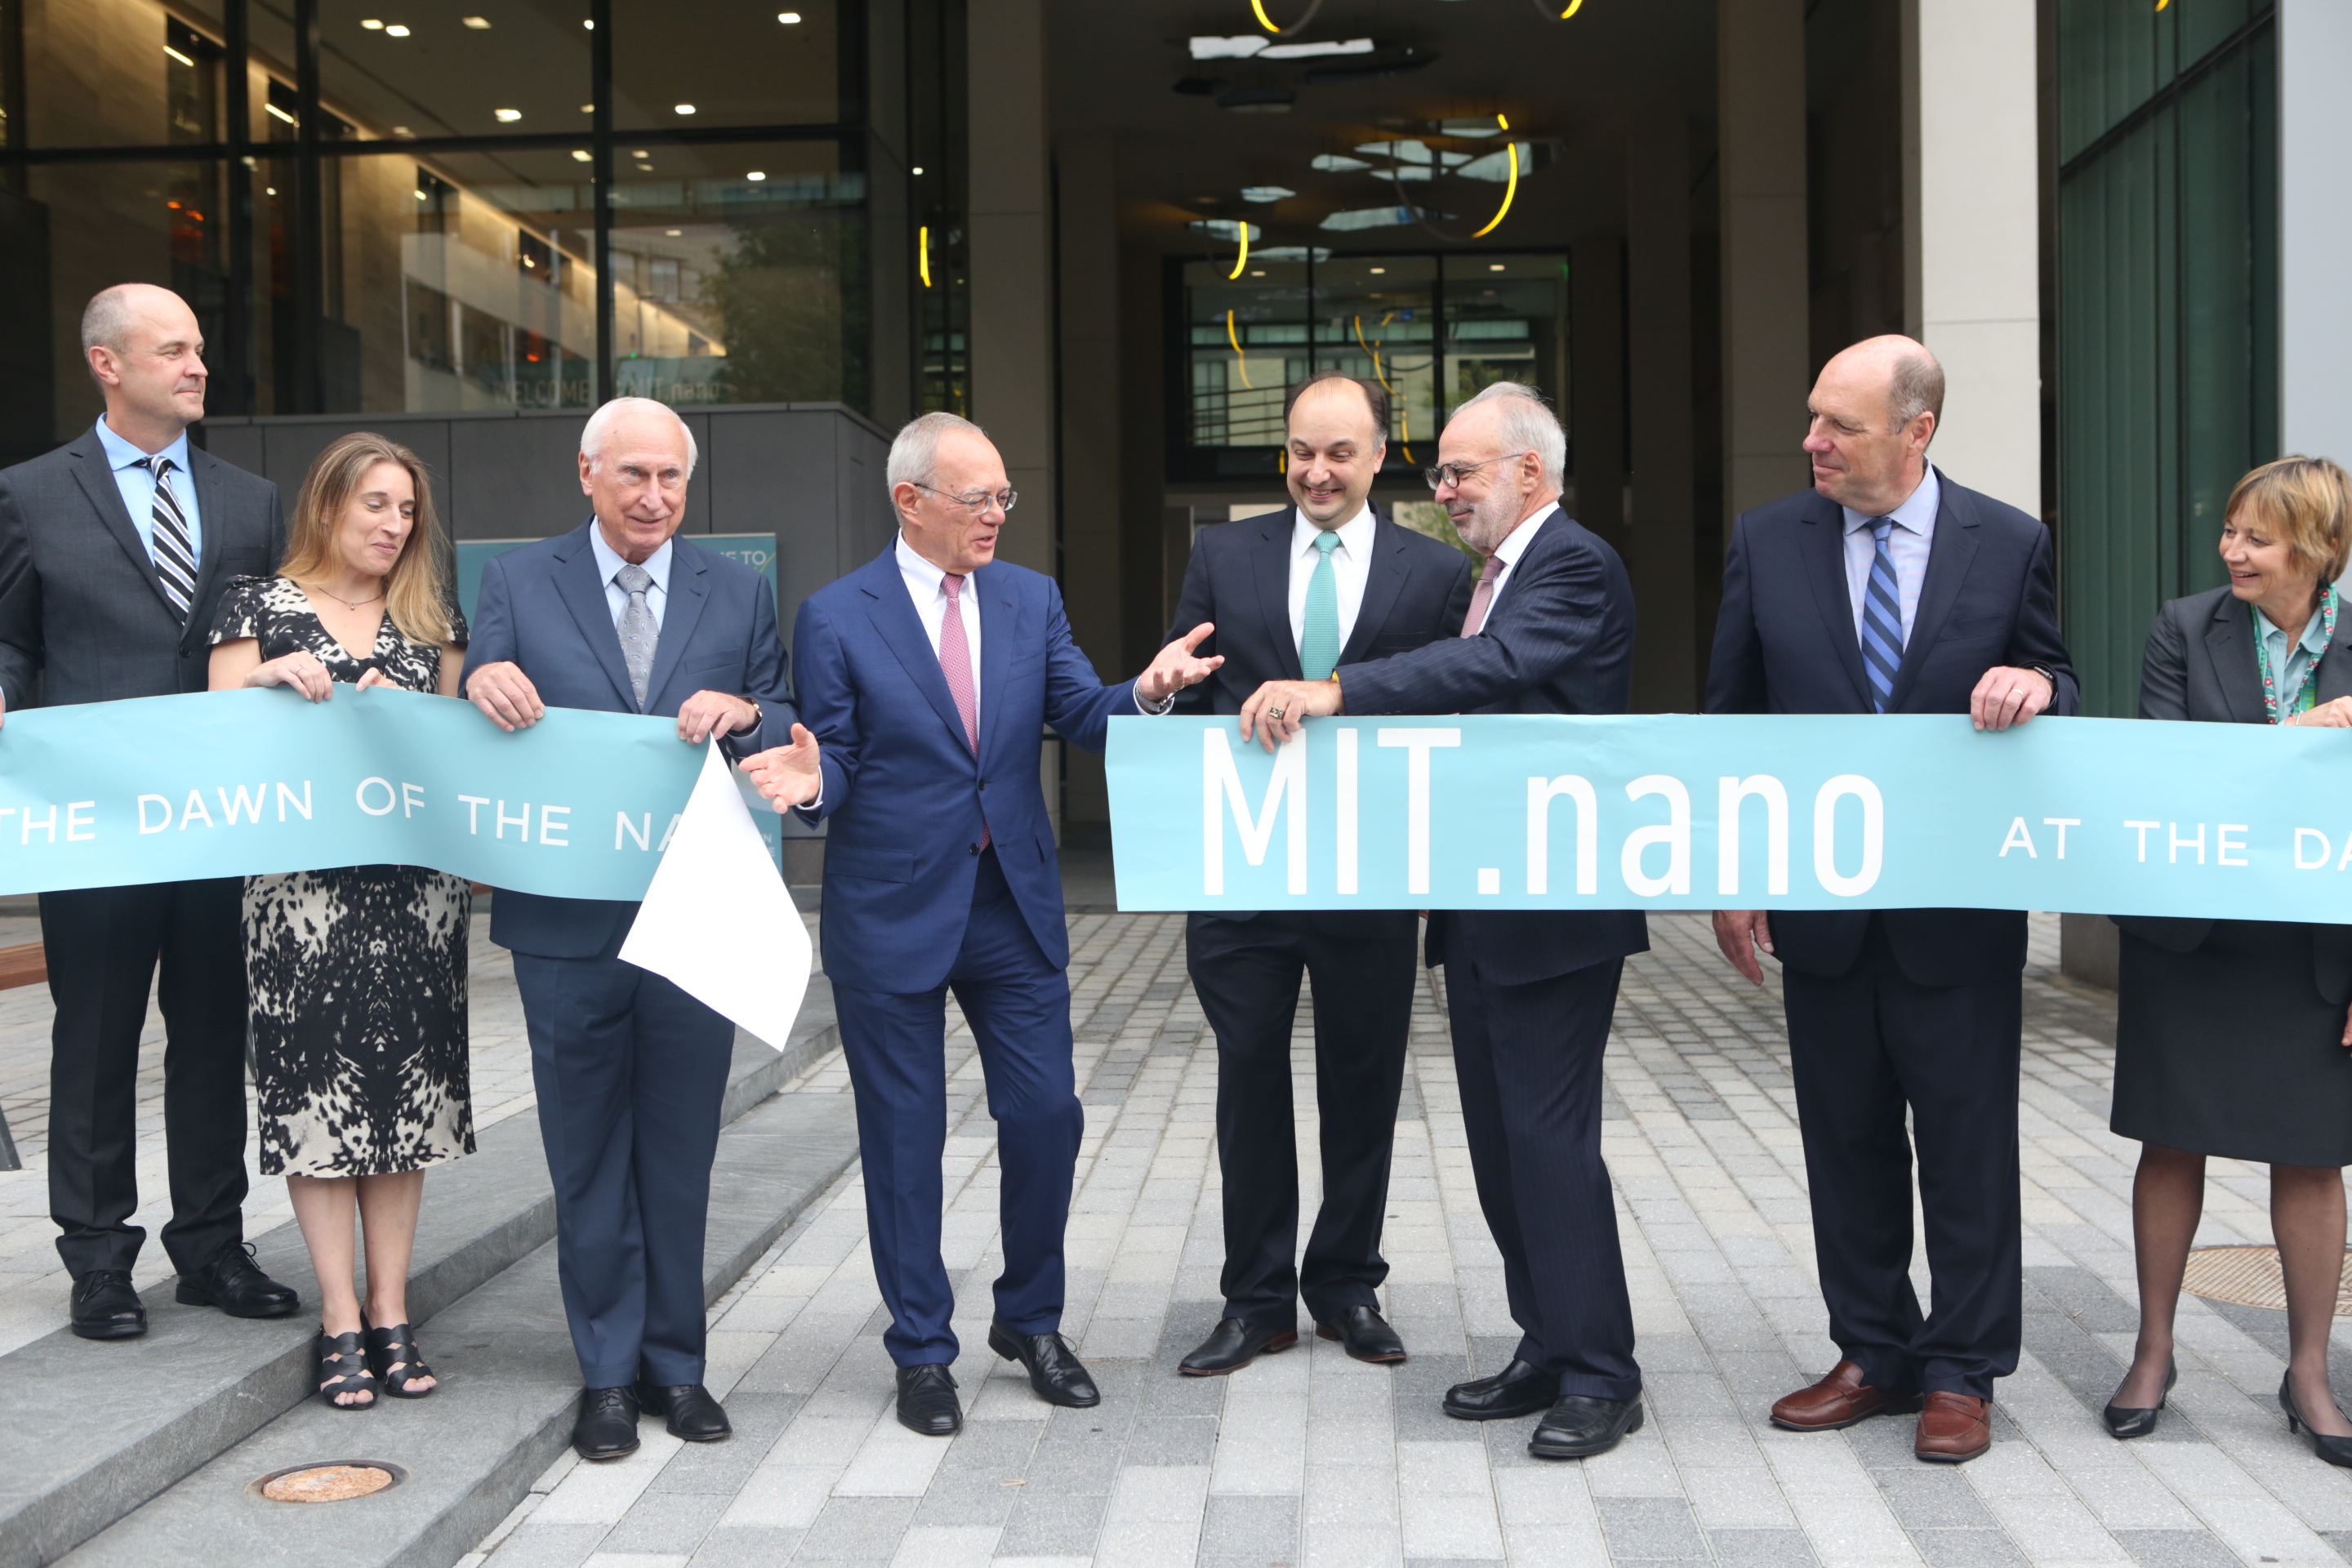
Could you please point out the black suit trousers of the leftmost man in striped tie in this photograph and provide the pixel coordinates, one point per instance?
(102, 949)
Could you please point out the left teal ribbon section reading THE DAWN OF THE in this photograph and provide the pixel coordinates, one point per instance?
(239, 784)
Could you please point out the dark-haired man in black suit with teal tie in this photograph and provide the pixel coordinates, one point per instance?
(1299, 594)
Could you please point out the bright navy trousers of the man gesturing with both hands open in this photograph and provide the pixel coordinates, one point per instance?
(1020, 1010)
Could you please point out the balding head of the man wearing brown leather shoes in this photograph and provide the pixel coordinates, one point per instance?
(1873, 413)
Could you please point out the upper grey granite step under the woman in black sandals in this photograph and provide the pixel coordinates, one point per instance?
(93, 1430)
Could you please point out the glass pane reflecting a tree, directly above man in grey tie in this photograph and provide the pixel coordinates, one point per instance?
(740, 276)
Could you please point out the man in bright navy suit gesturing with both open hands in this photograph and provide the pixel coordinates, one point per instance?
(928, 678)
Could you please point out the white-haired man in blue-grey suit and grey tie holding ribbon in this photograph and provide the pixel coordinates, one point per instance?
(620, 617)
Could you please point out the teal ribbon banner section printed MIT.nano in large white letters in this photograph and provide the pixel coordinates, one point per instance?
(1718, 812)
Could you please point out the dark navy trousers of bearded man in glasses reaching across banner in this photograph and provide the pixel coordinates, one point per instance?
(1530, 1066)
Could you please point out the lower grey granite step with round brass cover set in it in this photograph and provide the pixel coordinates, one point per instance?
(505, 1412)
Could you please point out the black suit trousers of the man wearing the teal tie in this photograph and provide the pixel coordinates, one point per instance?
(1363, 984)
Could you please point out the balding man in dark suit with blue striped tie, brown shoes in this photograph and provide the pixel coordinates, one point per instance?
(1890, 589)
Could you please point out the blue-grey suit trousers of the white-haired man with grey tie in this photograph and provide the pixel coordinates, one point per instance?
(632, 1076)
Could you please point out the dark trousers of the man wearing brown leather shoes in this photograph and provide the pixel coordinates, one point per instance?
(1866, 1047)
